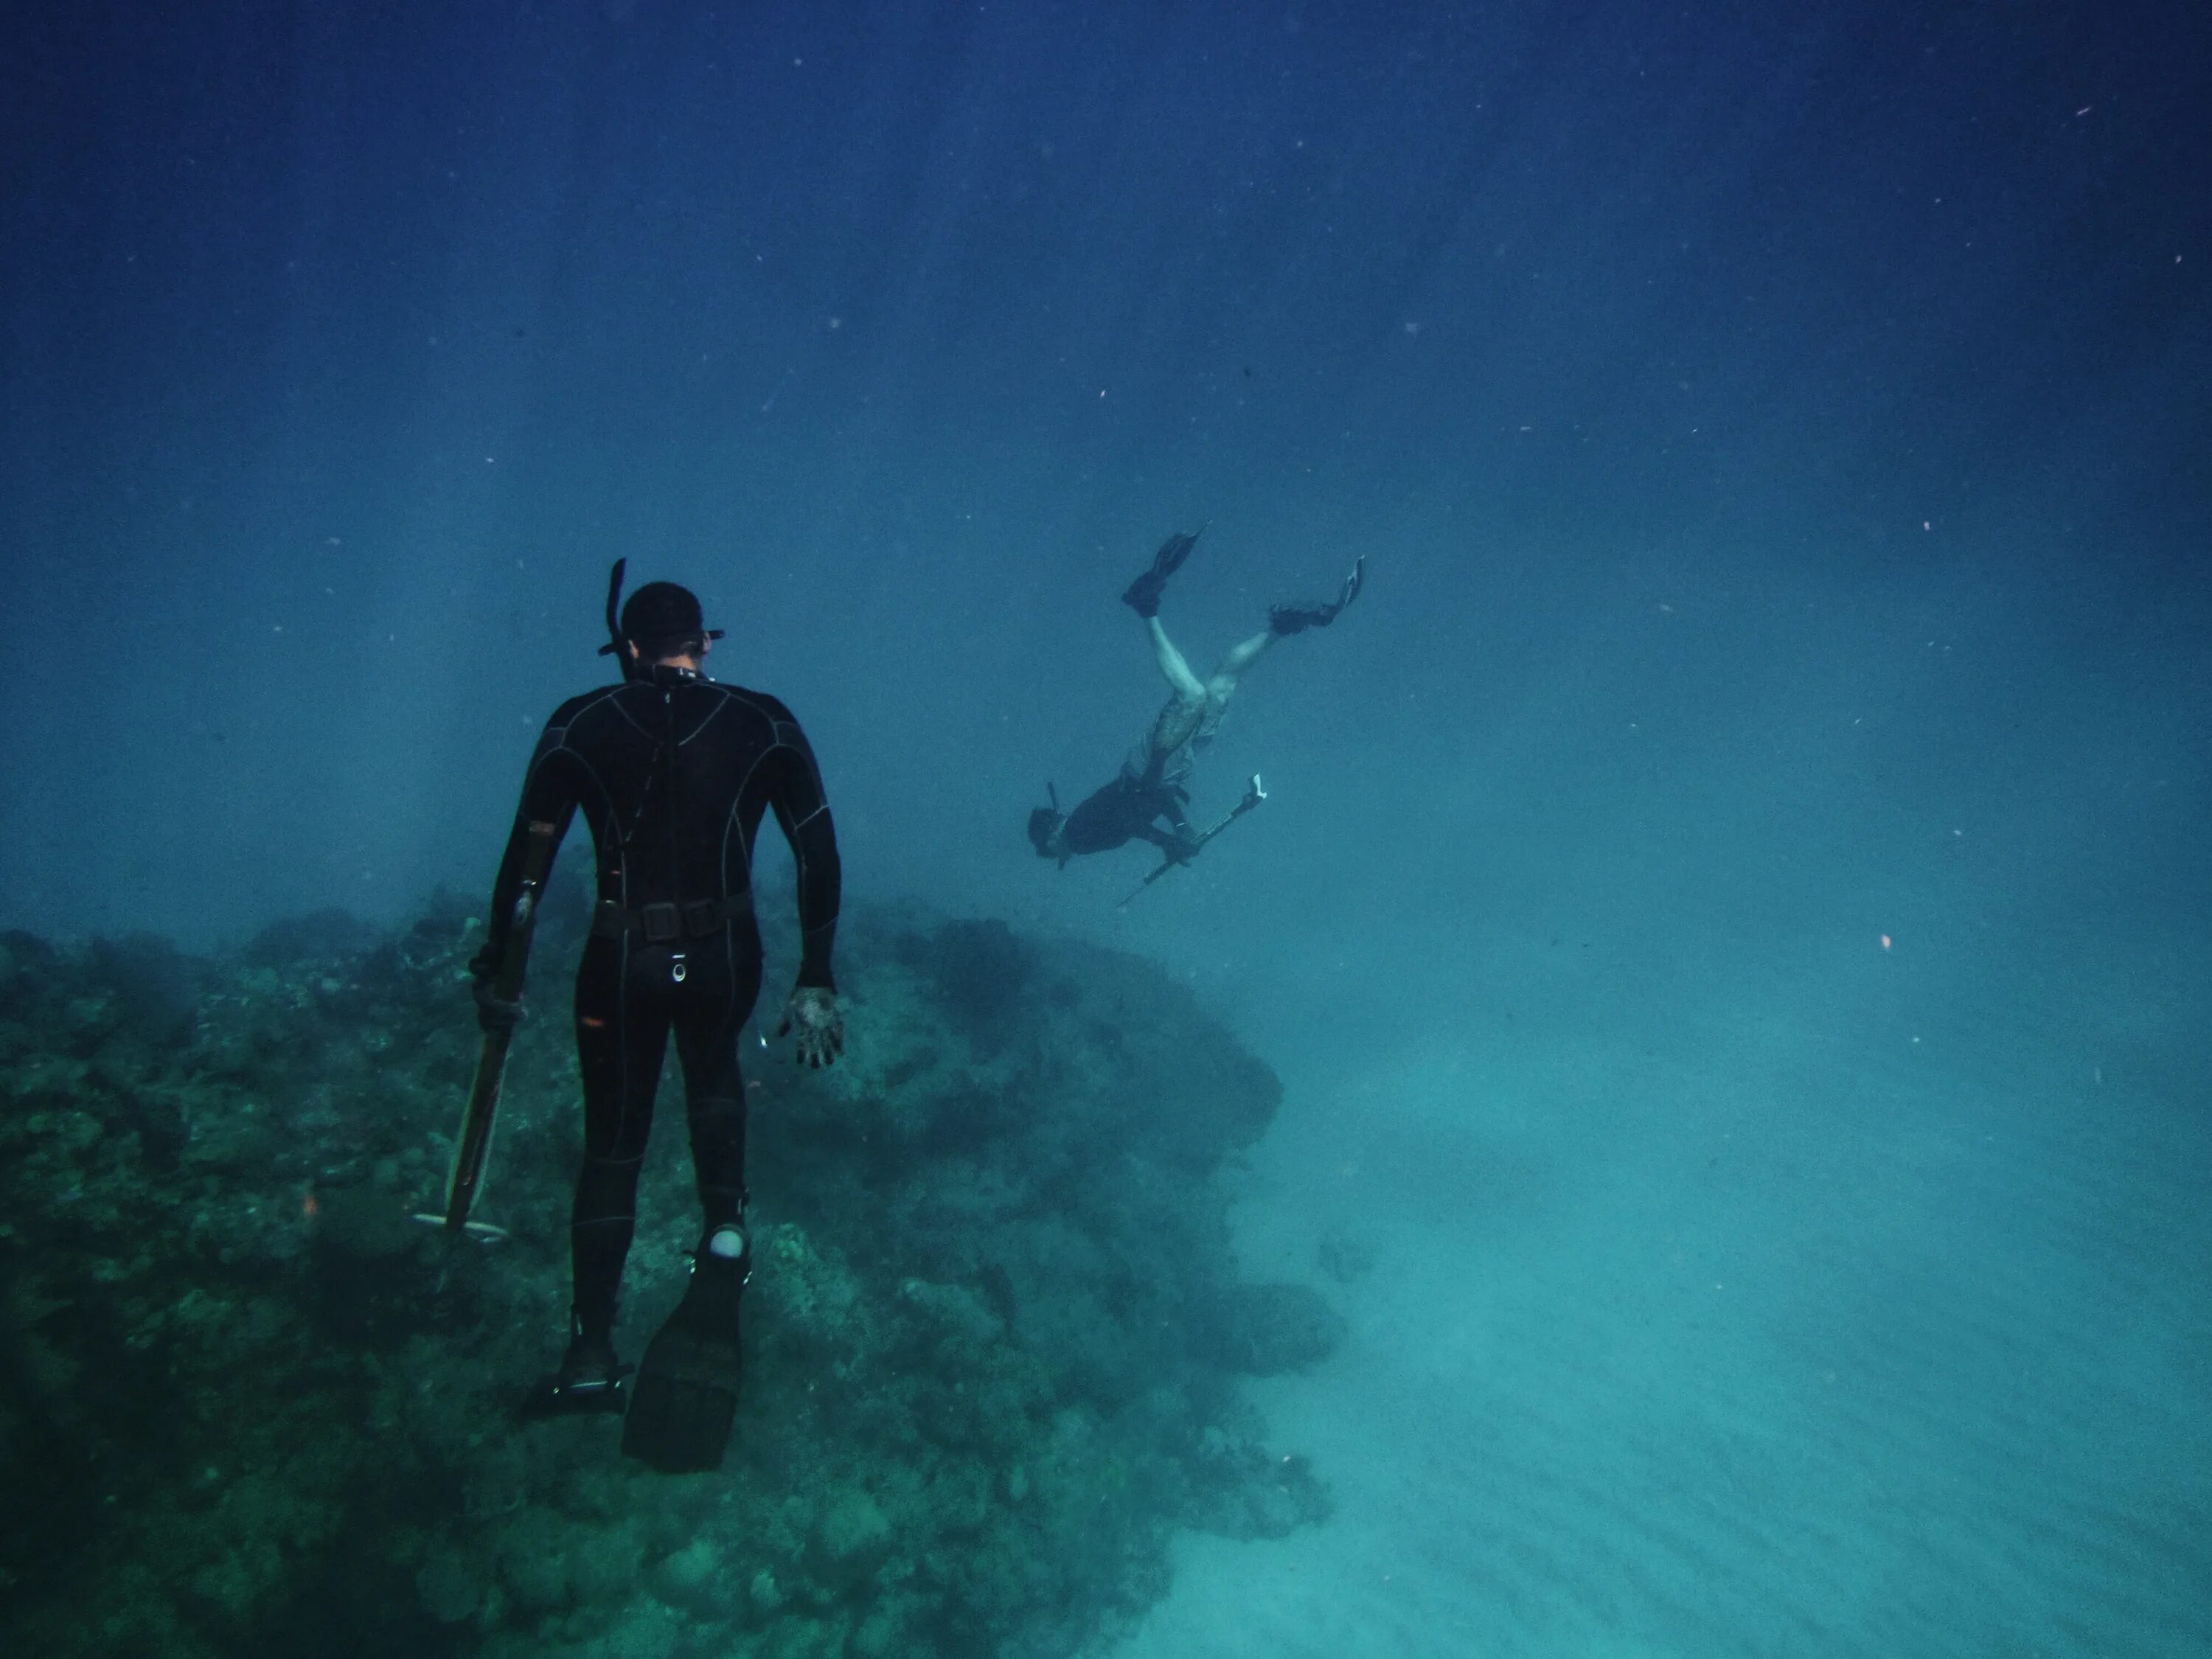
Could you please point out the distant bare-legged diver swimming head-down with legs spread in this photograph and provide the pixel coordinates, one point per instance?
(1151, 789)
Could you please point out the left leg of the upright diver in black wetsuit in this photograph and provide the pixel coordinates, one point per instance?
(620, 1039)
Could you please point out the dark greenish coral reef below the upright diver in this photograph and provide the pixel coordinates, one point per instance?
(994, 1333)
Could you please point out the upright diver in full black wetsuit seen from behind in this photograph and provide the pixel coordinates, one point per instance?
(674, 775)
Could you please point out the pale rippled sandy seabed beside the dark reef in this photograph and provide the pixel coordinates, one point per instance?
(1793, 1328)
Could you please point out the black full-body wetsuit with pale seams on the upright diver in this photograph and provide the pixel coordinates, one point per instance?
(674, 778)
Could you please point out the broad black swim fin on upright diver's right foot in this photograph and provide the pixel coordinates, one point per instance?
(685, 1395)
